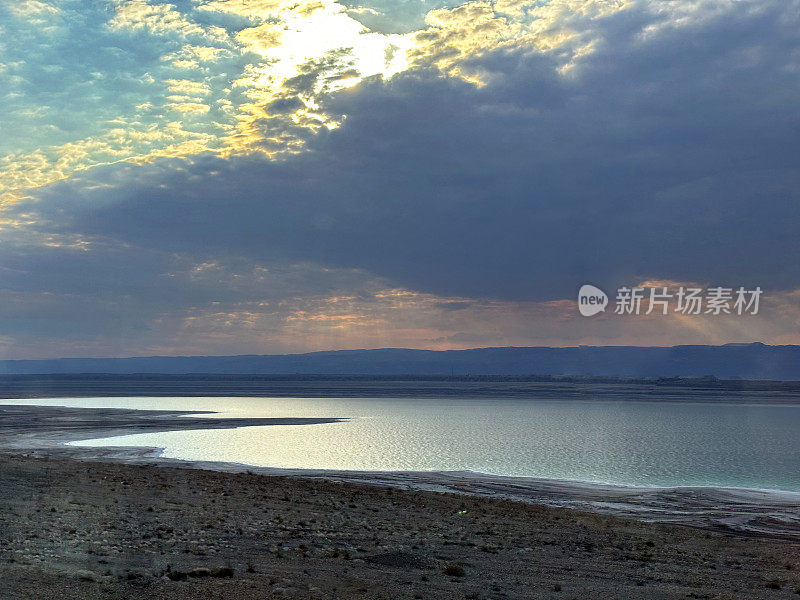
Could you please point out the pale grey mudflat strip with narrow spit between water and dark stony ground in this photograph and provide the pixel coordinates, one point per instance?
(50, 431)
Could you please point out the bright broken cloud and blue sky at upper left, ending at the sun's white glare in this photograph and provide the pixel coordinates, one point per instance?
(243, 57)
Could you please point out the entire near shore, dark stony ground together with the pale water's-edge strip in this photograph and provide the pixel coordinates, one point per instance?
(120, 523)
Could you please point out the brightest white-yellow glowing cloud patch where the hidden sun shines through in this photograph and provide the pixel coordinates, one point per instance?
(306, 51)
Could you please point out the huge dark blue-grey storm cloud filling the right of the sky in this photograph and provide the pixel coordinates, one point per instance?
(672, 150)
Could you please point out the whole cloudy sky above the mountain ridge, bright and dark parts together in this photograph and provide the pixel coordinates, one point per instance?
(213, 177)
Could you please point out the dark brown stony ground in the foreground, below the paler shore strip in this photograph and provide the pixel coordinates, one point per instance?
(108, 530)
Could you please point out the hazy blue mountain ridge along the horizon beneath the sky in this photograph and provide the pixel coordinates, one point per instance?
(730, 361)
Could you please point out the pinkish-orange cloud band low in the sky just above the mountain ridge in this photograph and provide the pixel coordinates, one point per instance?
(376, 317)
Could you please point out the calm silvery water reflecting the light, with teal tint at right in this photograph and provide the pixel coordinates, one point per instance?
(632, 443)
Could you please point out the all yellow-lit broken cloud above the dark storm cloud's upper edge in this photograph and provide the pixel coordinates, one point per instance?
(229, 76)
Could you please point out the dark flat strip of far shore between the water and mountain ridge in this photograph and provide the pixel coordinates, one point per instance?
(376, 386)
